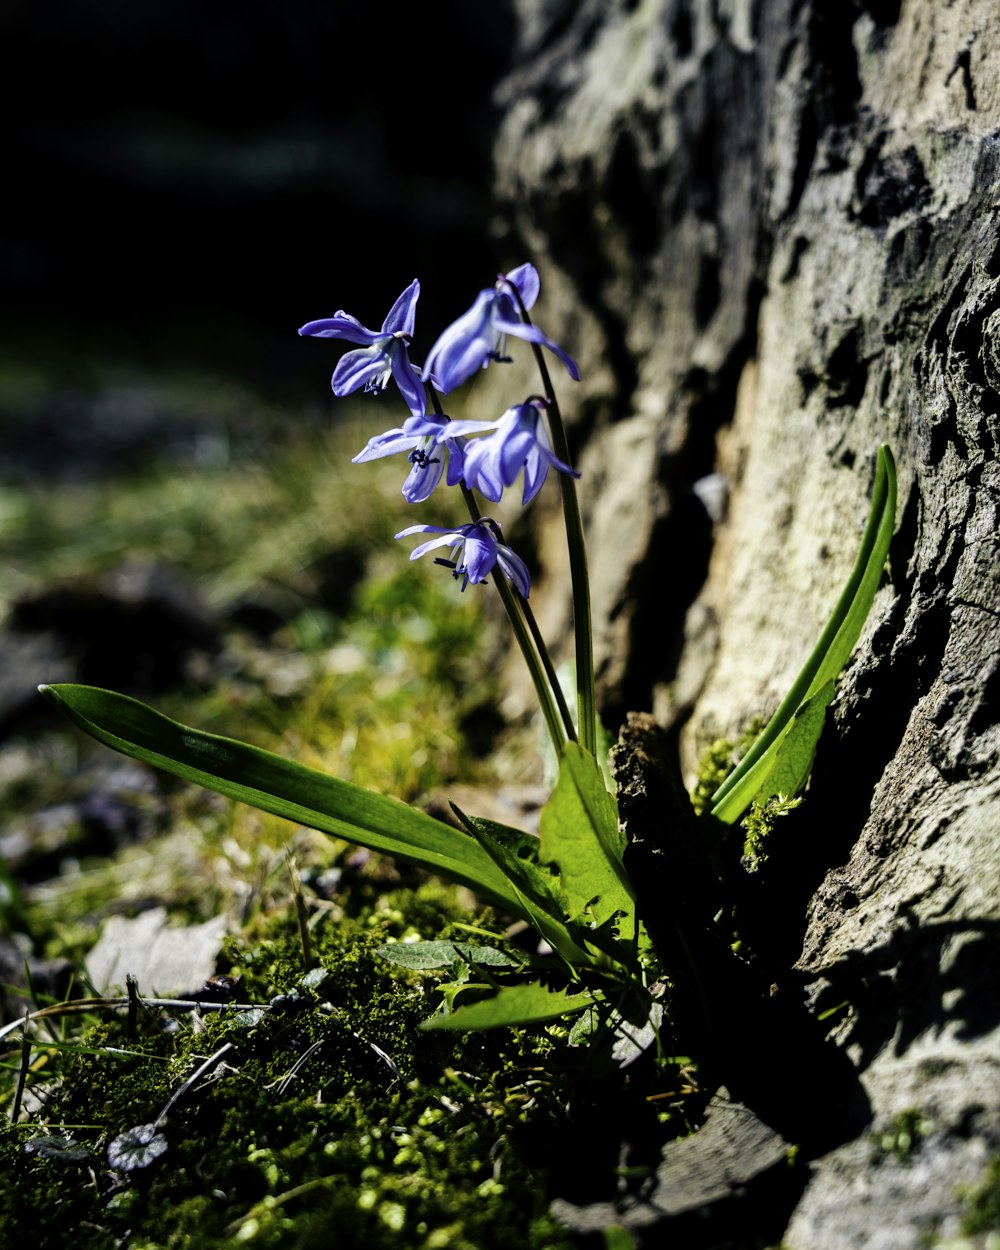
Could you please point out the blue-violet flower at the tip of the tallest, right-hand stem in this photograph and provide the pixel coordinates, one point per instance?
(481, 334)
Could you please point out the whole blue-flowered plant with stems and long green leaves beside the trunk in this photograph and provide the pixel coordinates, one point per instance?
(598, 963)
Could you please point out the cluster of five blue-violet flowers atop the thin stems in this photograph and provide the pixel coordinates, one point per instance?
(479, 456)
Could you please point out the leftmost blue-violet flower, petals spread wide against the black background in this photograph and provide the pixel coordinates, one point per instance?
(383, 354)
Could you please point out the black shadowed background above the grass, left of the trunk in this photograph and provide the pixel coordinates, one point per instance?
(189, 182)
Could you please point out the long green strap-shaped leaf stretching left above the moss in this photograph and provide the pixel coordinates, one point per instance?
(286, 789)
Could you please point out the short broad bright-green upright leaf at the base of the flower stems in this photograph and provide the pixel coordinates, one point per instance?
(579, 834)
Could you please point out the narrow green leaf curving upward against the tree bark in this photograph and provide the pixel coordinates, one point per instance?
(823, 667)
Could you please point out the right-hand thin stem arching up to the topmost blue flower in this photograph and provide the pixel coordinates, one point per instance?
(587, 702)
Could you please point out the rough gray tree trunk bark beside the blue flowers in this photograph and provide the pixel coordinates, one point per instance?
(769, 232)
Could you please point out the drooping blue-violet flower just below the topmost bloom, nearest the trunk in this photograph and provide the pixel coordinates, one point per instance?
(521, 441)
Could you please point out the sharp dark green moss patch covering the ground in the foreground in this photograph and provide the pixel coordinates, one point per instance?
(334, 1121)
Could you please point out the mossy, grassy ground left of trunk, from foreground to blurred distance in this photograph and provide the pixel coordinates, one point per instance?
(334, 1121)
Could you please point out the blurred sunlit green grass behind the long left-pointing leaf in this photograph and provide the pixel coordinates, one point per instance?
(376, 682)
